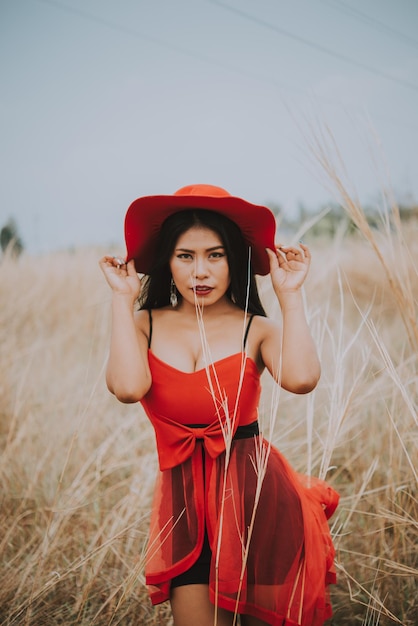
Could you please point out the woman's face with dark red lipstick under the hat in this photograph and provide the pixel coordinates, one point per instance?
(199, 266)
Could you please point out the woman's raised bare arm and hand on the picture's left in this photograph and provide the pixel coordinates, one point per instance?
(128, 376)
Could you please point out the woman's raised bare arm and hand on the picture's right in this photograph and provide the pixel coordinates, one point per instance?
(289, 353)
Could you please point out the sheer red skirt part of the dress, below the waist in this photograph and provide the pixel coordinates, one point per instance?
(272, 554)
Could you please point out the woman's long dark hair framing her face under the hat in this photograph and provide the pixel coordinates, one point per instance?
(156, 286)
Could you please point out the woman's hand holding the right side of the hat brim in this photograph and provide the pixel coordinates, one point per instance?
(289, 267)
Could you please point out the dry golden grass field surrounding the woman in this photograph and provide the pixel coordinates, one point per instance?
(77, 468)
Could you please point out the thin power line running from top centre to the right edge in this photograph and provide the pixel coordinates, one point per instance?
(312, 44)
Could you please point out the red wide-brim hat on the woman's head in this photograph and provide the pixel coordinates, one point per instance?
(146, 215)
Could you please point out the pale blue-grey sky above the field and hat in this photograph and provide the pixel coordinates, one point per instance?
(103, 101)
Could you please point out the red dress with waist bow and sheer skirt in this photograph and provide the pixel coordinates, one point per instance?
(272, 554)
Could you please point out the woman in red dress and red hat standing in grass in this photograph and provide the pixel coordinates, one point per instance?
(234, 530)
